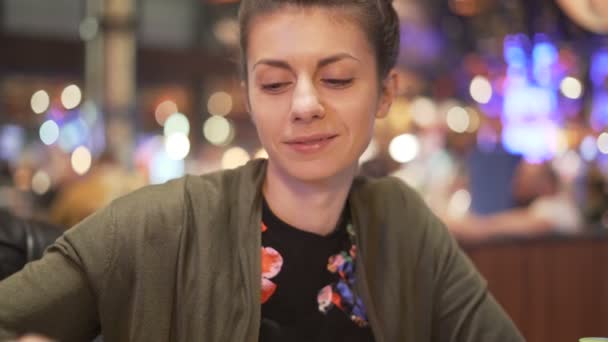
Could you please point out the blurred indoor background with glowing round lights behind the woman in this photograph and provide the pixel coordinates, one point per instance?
(500, 121)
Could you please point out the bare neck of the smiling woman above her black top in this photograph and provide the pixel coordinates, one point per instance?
(310, 206)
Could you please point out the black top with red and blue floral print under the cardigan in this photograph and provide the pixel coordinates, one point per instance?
(308, 284)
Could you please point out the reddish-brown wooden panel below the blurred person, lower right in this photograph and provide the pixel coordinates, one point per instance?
(554, 288)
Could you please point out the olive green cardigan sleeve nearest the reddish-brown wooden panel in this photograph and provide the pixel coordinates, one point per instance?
(464, 310)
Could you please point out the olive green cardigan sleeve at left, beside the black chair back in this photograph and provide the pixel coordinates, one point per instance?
(57, 295)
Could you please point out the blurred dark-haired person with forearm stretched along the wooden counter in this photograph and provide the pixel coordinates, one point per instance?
(543, 205)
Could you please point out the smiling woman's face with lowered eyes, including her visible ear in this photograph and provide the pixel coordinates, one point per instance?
(313, 91)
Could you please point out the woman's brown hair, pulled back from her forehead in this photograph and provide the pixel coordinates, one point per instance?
(377, 18)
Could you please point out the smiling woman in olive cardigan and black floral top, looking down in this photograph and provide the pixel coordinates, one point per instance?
(292, 249)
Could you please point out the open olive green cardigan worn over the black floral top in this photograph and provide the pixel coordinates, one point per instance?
(181, 262)
